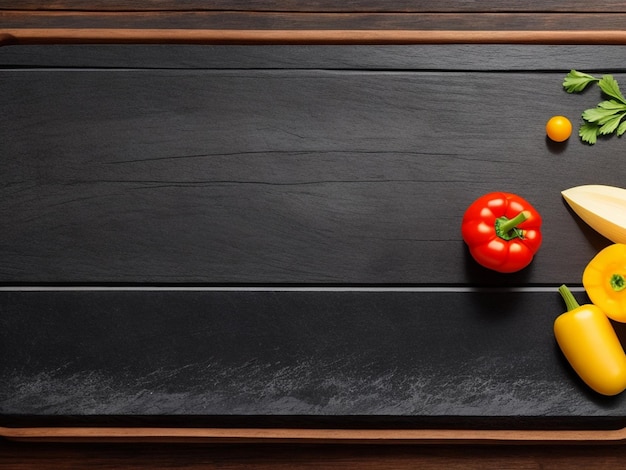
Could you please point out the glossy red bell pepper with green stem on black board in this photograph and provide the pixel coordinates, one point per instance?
(502, 231)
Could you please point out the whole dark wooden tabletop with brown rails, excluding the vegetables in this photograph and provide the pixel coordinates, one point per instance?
(314, 190)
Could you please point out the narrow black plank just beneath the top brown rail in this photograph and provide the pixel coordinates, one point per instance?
(449, 57)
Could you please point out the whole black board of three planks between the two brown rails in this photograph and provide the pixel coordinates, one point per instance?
(299, 218)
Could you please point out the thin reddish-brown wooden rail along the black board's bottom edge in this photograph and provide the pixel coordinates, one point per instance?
(313, 436)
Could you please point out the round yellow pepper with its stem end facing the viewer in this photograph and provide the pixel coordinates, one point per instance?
(604, 279)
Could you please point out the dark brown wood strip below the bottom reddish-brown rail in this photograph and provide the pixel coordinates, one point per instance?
(19, 456)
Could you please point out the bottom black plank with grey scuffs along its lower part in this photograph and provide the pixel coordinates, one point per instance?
(291, 358)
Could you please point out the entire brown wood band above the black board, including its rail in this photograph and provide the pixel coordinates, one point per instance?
(315, 23)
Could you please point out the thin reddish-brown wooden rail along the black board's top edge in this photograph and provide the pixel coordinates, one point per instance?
(33, 36)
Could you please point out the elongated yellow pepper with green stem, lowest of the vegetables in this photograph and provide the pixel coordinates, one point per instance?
(590, 344)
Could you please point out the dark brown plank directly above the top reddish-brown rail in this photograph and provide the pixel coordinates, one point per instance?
(277, 21)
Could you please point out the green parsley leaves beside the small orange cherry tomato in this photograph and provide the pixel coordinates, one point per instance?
(607, 116)
